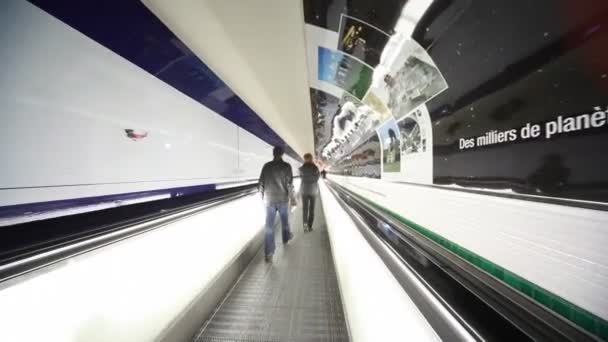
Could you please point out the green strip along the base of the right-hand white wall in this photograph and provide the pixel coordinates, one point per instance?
(579, 316)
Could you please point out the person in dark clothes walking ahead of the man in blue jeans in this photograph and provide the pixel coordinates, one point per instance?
(309, 173)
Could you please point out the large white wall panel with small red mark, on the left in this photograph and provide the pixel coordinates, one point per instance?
(66, 103)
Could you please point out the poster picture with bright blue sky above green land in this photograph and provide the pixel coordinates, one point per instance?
(344, 71)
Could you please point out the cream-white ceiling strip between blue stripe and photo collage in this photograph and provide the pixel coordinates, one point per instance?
(258, 49)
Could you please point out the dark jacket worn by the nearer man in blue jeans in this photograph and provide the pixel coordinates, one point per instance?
(276, 182)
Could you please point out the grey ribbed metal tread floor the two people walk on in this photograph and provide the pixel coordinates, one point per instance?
(294, 298)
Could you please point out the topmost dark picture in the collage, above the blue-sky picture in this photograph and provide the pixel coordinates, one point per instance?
(361, 40)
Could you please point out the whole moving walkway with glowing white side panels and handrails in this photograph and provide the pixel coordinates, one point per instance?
(195, 271)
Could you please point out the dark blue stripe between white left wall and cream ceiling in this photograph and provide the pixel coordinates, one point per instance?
(130, 30)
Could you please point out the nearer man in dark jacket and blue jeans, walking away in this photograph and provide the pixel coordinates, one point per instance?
(276, 186)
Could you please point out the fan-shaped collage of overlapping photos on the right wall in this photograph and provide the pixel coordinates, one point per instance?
(366, 85)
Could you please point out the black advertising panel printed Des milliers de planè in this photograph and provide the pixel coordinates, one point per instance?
(527, 103)
